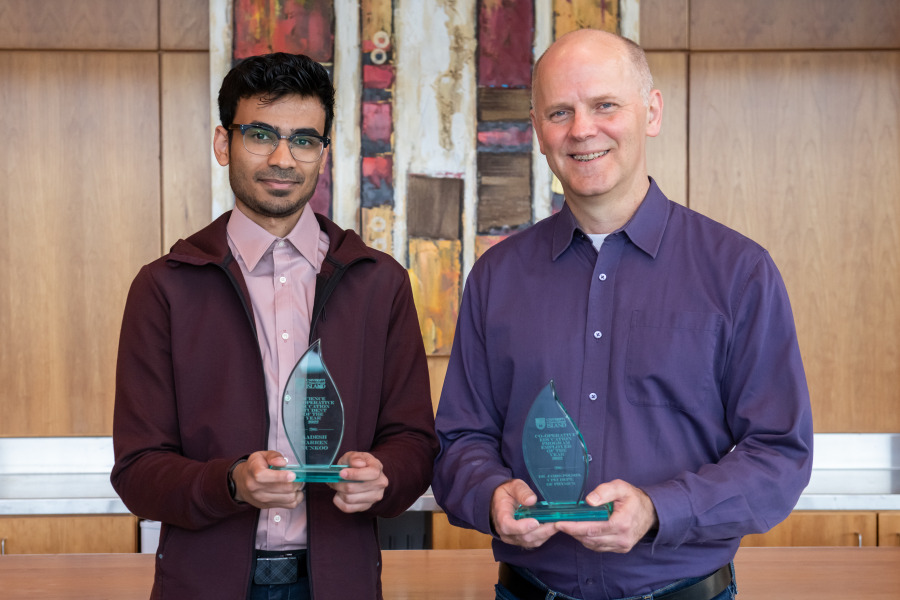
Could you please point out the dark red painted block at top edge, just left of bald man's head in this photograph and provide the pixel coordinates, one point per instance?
(505, 32)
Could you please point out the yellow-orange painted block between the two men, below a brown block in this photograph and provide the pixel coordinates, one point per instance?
(435, 276)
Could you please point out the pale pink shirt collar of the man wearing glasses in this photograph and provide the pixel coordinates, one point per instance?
(252, 242)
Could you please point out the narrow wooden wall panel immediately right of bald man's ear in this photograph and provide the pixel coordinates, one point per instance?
(667, 152)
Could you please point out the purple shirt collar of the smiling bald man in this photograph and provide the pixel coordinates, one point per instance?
(645, 228)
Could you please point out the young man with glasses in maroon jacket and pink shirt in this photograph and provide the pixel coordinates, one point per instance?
(210, 335)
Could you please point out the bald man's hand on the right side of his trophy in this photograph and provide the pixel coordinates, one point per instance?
(633, 516)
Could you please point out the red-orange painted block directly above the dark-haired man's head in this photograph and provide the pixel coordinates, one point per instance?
(295, 26)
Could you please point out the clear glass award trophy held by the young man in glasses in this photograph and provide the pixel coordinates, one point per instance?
(313, 417)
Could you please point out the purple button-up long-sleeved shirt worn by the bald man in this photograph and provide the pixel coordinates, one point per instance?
(674, 351)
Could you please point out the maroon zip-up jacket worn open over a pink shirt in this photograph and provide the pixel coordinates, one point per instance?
(191, 400)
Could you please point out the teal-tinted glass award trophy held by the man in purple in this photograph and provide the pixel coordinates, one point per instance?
(557, 461)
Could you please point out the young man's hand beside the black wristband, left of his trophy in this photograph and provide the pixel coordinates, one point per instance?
(256, 484)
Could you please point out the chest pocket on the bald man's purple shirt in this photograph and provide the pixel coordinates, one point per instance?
(671, 359)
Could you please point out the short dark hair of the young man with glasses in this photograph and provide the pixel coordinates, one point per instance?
(273, 76)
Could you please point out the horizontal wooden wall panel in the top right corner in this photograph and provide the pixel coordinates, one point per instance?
(796, 24)
